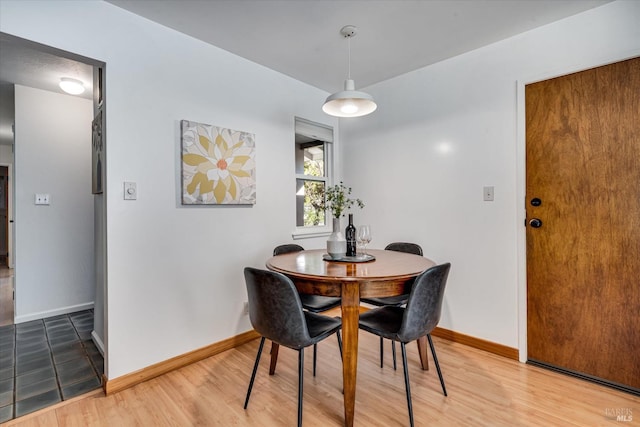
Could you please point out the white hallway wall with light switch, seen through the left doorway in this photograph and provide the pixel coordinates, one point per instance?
(54, 267)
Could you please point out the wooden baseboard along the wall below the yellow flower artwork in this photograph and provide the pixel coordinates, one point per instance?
(129, 380)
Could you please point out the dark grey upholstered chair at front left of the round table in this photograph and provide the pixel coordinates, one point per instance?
(276, 313)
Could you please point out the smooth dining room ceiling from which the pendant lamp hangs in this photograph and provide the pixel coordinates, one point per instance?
(301, 38)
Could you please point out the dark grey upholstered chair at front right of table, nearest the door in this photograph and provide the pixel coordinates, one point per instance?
(418, 319)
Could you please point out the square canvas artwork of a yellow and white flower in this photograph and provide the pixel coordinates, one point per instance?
(218, 165)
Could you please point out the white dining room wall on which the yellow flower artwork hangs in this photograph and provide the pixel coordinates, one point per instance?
(175, 280)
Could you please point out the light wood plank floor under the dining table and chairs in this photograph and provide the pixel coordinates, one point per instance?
(484, 390)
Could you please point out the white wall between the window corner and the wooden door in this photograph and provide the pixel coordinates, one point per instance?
(443, 132)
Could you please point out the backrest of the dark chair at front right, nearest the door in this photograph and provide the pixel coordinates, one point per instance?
(422, 313)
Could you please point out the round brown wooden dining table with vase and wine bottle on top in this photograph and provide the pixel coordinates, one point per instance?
(387, 275)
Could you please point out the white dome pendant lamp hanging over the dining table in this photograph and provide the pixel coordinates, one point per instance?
(349, 102)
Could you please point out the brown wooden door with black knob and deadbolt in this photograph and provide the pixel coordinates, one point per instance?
(583, 261)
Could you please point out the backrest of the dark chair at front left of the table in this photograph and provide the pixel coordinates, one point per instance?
(275, 309)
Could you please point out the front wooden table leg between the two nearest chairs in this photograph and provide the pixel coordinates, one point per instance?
(350, 316)
